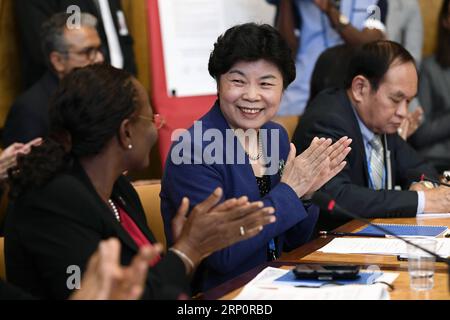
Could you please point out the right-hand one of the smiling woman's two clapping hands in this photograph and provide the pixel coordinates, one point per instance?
(339, 150)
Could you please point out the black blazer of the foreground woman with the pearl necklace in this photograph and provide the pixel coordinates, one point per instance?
(61, 224)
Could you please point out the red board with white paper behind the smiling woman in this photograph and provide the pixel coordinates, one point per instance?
(181, 36)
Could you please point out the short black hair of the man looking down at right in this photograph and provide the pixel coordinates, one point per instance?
(373, 60)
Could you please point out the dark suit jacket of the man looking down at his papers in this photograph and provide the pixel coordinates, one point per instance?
(331, 115)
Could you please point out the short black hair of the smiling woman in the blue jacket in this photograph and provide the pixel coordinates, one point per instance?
(251, 42)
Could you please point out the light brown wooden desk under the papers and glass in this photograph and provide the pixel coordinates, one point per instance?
(308, 254)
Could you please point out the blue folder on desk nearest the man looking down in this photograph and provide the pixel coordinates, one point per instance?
(406, 230)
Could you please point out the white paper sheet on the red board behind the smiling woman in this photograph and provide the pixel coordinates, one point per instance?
(189, 29)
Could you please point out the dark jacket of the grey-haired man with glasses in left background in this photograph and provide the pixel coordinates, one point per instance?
(28, 117)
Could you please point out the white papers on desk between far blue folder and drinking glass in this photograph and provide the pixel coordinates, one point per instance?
(382, 246)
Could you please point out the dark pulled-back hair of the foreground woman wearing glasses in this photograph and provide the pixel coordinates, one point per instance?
(85, 113)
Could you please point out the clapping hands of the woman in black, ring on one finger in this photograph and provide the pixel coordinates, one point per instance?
(211, 227)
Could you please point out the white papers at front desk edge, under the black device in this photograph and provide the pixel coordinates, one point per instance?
(264, 287)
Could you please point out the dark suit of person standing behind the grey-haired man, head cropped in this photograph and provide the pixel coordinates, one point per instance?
(32, 13)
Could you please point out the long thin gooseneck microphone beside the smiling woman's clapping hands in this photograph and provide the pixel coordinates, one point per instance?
(326, 203)
